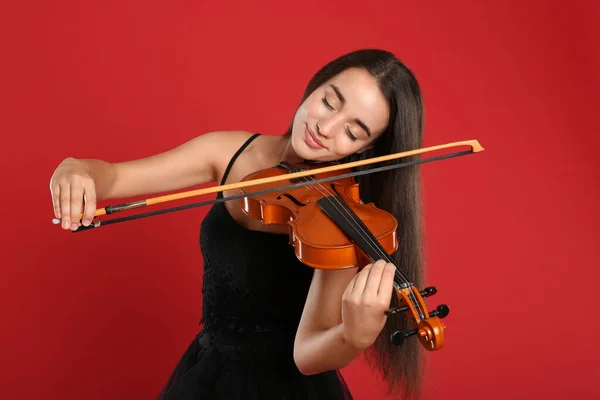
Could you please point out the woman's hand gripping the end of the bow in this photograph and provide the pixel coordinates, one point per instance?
(73, 192)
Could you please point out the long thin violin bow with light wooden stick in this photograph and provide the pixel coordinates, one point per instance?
(474, 145)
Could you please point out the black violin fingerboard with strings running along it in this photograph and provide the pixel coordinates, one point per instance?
(346, 219)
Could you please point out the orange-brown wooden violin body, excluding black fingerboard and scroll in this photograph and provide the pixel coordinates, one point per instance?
(317, 240)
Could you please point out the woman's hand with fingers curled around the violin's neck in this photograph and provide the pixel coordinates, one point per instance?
(364, 302)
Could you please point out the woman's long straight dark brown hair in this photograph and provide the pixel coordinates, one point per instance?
(396, 191)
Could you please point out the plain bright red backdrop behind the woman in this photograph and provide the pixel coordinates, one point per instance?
(512, 233)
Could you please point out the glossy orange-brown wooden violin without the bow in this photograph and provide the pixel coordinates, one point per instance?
(330, 228)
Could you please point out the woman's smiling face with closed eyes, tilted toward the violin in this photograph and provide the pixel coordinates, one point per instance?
(343, 116)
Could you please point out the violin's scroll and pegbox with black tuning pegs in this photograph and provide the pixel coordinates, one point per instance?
(426, 325)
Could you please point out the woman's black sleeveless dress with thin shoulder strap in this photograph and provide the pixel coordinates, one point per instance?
(254, 290)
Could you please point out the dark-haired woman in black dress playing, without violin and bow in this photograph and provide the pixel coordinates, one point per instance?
(272, 325)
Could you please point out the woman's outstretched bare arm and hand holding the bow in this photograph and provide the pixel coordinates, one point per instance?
(189, 164)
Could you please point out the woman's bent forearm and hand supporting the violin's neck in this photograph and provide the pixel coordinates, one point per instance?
(359, 300)
